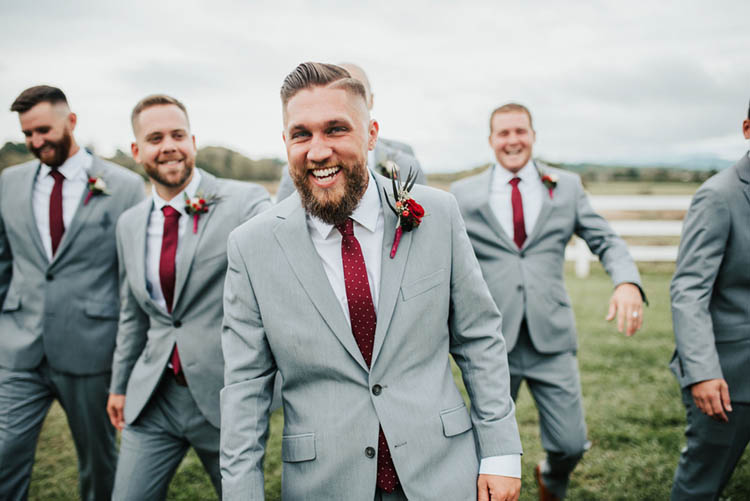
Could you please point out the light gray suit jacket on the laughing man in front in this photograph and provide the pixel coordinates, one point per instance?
(280, 312)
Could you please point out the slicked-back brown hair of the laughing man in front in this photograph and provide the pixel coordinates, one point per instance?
(309, 74)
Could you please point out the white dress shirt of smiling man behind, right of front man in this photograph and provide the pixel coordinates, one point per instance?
(531, 188)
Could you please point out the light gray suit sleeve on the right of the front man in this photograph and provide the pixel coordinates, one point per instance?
(478, 347)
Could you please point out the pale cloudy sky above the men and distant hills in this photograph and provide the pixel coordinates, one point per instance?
(606, 81)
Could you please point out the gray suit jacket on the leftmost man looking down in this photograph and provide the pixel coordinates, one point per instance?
(64, 310)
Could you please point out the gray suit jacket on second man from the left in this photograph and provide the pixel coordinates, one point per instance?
(147, 333)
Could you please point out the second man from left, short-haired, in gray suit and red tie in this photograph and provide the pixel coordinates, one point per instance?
(168, 366)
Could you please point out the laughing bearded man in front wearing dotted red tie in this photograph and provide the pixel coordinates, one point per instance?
(361, 334)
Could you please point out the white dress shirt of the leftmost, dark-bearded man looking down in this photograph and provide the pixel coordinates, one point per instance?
(75, 170)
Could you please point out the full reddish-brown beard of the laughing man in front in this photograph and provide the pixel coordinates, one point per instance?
(323, 205)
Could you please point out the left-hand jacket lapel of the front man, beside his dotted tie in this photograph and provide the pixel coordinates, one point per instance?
(294, 238)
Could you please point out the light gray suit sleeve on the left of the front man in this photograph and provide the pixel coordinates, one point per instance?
(249, 372)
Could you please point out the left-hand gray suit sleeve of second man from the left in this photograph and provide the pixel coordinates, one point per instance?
(132, 328)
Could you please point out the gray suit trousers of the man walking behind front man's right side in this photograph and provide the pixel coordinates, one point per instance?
(555, 385)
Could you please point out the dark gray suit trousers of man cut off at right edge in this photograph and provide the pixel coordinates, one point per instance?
(712, 451)
